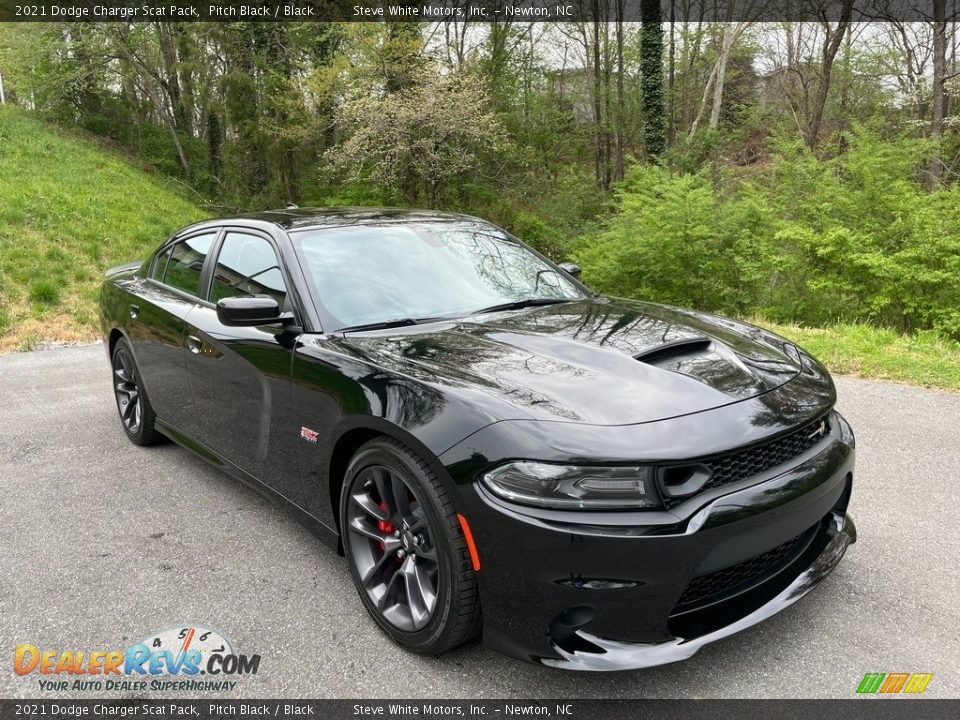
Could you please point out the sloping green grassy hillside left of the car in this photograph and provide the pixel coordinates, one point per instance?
(69, 209)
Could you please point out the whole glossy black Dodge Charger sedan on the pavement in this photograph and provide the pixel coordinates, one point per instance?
(593, 483)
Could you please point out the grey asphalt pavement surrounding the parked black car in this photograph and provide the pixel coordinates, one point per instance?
(103, 543)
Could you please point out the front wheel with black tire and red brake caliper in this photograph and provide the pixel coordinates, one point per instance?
(372, 543)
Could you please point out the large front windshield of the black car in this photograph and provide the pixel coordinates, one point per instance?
(367, 275)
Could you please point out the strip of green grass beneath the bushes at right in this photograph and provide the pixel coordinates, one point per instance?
(867, 351)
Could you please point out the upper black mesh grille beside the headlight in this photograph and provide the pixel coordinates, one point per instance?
(737, 466)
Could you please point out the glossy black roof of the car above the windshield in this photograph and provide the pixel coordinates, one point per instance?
(305, 218)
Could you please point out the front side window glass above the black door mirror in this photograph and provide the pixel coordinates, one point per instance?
(247, 265)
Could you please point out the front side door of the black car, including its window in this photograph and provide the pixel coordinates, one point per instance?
(240, 376)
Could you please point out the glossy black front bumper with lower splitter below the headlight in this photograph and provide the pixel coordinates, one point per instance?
(606, 592)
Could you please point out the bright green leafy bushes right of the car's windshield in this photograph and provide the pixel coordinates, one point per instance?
(858, 237)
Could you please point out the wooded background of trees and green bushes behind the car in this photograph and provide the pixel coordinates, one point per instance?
(802, 172)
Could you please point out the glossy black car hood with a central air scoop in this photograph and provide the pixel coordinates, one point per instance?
(599, 361)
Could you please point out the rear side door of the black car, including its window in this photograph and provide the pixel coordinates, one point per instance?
(157, 327)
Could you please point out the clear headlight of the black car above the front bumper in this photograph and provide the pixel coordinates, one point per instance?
(571, 487)
